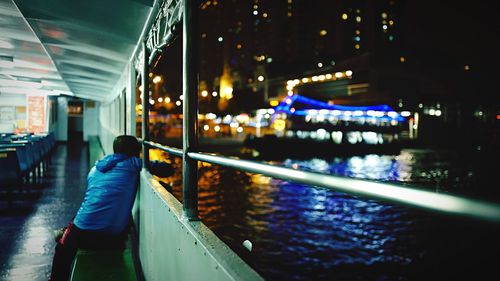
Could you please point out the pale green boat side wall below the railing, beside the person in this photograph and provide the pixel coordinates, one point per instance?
(180, 249)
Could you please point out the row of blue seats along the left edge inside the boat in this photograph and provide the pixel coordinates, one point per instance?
(24, 159)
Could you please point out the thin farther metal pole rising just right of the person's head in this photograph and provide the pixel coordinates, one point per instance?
(145, 104)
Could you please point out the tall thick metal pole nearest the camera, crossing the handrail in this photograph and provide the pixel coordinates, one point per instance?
(190, 109)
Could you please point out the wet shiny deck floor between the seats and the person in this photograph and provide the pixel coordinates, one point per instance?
(26, 232)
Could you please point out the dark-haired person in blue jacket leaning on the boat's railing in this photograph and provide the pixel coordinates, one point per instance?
(103, 219)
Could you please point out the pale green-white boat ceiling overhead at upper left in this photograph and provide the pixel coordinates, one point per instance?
(76, 48)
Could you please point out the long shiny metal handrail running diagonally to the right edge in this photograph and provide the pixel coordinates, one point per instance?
(445, 203)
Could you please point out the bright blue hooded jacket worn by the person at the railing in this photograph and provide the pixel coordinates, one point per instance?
(111, 188)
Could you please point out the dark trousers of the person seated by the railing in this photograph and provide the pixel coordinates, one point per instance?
(75, 238)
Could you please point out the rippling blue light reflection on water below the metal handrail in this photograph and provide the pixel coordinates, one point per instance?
(320, 232)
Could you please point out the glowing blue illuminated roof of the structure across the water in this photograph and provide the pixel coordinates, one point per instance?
(301, 106)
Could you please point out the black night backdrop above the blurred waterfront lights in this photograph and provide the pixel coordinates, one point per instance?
(438, 39)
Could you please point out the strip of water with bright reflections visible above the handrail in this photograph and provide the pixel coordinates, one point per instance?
(442, 171)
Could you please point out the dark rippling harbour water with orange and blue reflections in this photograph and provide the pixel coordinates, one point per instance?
(301, 232)
